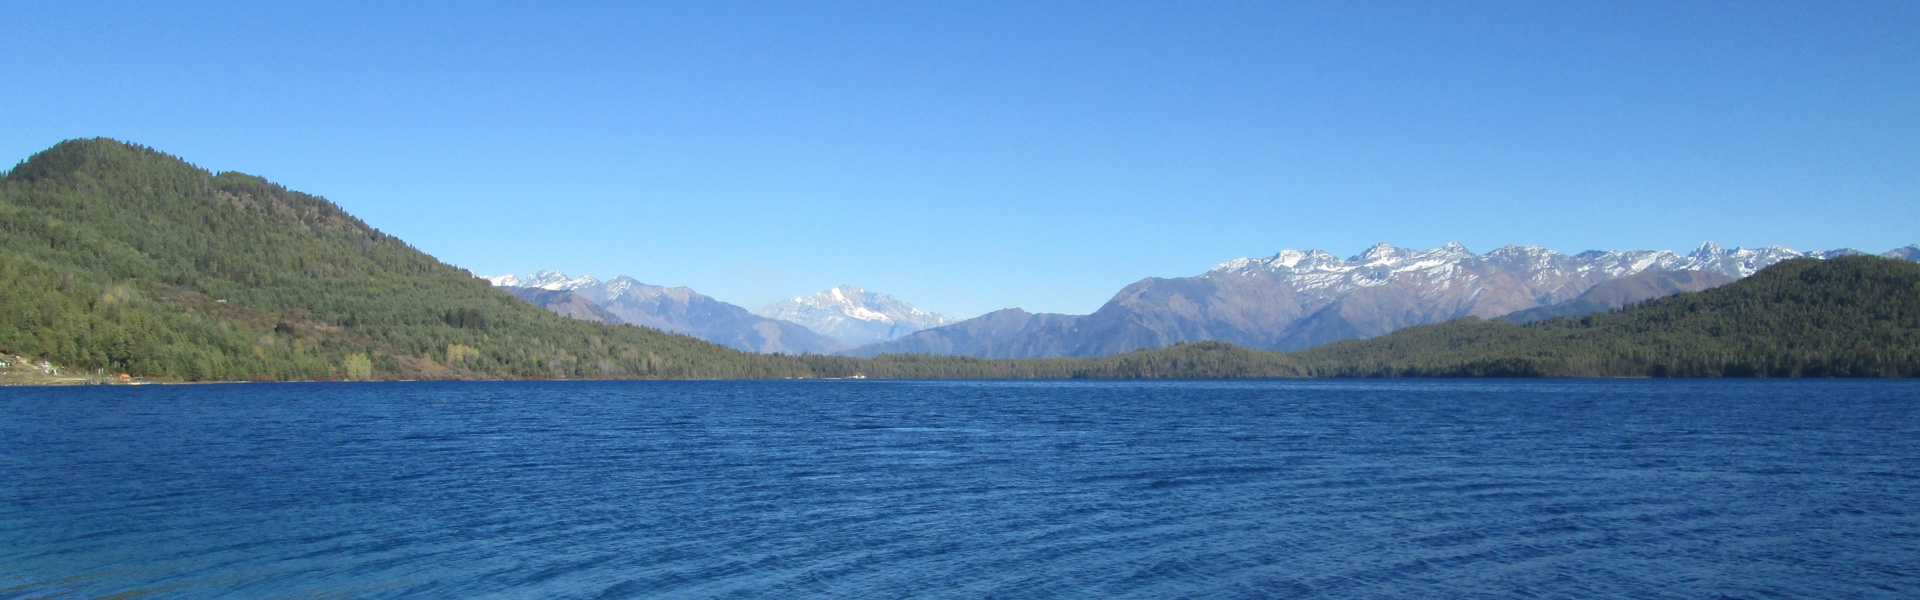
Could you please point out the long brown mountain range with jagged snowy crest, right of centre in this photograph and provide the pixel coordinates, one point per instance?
(1303, 299)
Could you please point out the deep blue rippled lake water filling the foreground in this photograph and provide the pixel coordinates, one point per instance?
(1199, 489)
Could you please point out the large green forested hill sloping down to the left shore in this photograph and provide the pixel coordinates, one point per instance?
(124, 259)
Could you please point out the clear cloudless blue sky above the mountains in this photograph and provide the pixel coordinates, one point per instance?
(972, 157)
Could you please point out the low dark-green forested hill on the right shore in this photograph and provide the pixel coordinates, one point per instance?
(1854, 316)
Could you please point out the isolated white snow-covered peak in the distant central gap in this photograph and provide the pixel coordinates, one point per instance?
(855, 316)
